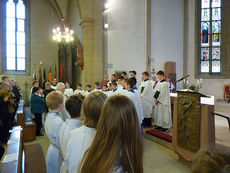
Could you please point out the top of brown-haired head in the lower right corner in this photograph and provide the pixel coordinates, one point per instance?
(211, 160)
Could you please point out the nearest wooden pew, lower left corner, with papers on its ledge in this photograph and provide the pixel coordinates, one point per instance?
(30, 158)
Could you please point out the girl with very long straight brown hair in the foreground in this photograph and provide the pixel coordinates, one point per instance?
(117, 146)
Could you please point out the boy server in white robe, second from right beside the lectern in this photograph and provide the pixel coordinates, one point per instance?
(146, 92)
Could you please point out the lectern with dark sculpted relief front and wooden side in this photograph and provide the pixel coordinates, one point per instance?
(193, 123)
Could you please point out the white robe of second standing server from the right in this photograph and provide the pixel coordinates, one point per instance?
(146, 97)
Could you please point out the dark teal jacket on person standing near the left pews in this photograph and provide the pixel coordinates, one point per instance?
(37, 104)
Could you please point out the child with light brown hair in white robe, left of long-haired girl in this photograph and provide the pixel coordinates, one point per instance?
(81, 138)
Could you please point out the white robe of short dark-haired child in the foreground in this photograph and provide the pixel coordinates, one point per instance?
(64, 134)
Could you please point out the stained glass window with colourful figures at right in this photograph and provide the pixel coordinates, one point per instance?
(210, 57)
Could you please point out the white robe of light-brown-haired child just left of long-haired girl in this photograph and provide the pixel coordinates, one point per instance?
(79, 141)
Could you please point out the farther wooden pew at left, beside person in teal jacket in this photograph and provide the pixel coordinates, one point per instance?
(29, 127)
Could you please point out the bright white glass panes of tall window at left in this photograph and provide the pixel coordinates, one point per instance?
(15, 35)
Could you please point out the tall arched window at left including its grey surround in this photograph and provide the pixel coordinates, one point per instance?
(14, 37)
